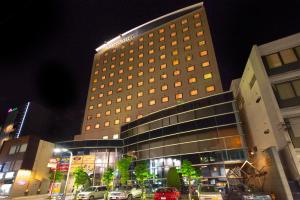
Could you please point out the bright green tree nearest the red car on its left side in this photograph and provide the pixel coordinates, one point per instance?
(142, 174)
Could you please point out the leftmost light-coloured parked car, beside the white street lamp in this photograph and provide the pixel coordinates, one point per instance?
(91, 193)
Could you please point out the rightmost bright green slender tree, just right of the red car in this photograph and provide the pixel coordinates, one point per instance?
(189, 172)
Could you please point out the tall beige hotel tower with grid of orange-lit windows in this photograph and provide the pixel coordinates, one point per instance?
(154, 66)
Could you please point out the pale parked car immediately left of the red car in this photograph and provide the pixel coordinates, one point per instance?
(125, 192)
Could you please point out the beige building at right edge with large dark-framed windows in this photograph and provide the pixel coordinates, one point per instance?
(268, 94)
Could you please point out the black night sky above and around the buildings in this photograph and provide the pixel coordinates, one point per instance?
(47, 47)
